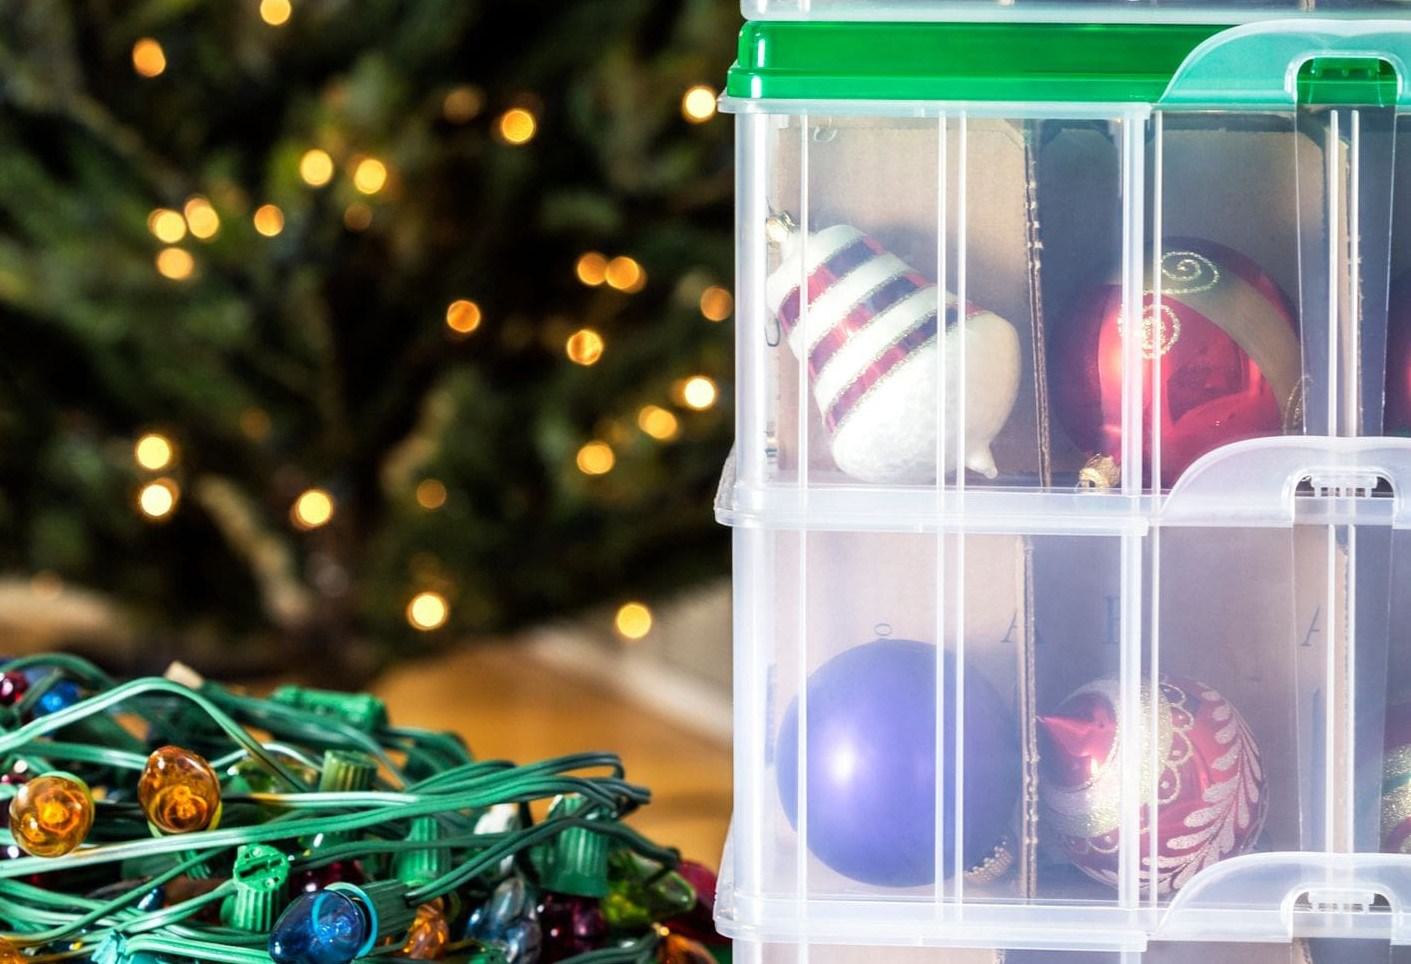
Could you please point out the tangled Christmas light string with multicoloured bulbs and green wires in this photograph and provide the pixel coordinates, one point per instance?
(169, 819)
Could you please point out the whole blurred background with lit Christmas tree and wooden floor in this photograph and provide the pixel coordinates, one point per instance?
(380, 345)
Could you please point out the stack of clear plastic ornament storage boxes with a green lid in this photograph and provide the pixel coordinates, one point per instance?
(1072, 489)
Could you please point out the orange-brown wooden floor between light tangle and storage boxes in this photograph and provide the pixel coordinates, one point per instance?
(511, 708)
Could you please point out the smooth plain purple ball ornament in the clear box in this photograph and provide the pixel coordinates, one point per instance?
(871, 766)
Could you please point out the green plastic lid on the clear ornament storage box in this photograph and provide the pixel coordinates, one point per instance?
(1186, 66)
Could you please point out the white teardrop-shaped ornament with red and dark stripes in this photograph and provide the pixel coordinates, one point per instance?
(868, 338)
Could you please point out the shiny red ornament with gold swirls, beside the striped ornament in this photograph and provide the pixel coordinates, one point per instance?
(1230, 358)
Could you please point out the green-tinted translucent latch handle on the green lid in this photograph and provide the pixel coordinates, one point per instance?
(1256, 66)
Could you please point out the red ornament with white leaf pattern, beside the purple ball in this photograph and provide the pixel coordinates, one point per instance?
(1210, 791)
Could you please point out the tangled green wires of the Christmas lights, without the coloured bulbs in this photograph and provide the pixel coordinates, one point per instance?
(420, 774)
